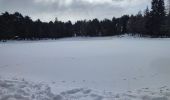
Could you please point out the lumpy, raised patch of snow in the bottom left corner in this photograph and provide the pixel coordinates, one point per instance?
(22, 90)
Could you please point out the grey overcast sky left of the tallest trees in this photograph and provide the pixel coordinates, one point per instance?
(73, 10)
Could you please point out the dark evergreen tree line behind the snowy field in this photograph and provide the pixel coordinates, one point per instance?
(153, 22)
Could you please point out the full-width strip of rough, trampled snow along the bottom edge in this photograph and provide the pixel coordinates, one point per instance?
(15, 89)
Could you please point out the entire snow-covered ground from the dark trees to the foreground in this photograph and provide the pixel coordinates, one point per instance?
(106, 68)
